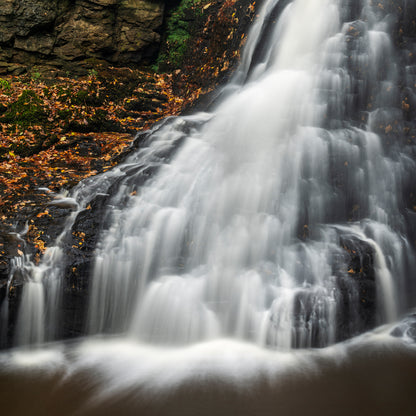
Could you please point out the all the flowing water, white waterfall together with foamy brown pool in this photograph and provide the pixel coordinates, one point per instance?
(241, 238)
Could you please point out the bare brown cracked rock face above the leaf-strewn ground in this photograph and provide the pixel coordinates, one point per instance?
(65, 32)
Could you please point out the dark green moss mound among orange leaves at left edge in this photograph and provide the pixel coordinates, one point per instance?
(26, 111)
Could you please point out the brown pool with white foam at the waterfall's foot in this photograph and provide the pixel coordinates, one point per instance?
(374, 374)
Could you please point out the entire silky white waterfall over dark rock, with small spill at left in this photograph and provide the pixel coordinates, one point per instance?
(280, 218)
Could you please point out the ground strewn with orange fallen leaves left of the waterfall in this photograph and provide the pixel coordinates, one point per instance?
(56, 131)
